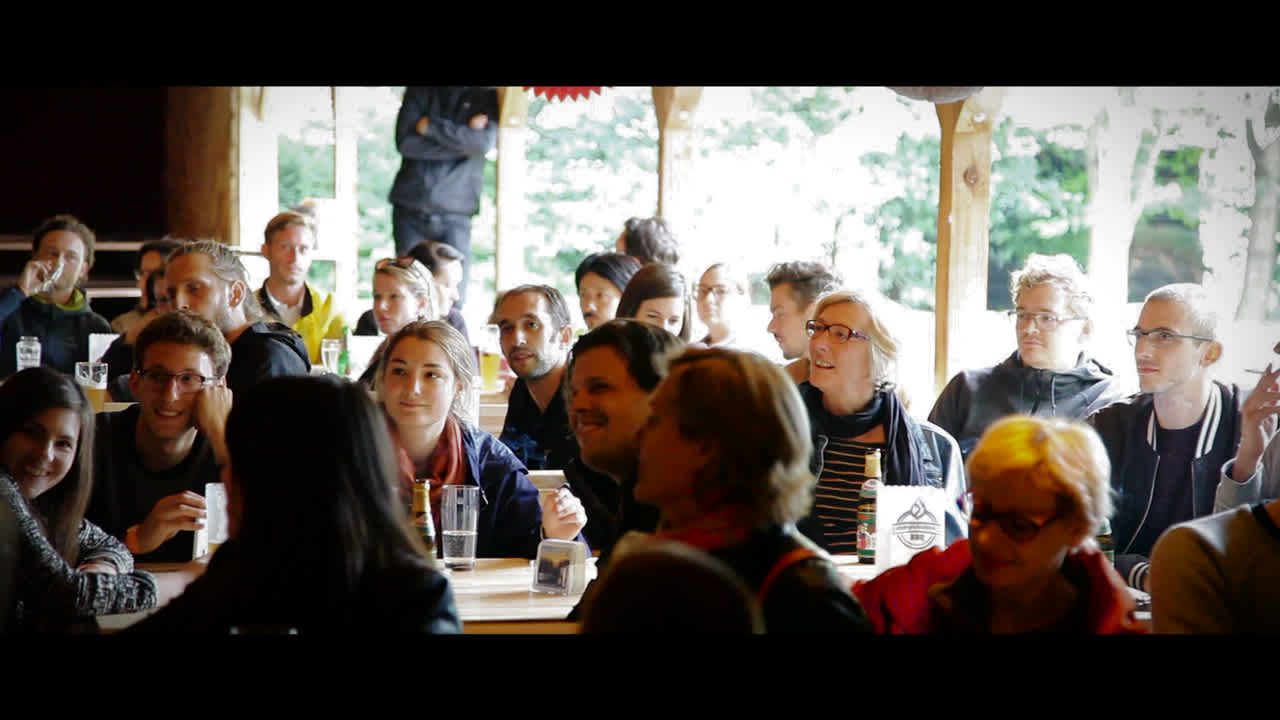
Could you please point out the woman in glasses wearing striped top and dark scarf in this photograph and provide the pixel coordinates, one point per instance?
(854, 412)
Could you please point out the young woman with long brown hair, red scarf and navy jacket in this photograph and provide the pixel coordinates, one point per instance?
(424, 388)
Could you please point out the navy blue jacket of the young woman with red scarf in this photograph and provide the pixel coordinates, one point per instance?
(511, 518)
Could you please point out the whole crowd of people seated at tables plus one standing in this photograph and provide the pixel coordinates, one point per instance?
(714, 485)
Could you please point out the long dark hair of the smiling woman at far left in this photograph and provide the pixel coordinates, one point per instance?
(22, 398)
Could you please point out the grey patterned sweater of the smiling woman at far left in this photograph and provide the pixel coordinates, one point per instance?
(51, 594)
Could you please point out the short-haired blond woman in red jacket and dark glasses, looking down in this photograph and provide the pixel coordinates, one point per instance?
(1041, 490)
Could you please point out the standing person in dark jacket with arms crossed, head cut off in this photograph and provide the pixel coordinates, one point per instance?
(444, 135)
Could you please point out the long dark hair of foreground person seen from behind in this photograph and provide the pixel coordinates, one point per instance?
(321, 507)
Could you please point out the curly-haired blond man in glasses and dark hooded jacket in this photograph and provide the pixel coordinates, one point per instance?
(1049, 375)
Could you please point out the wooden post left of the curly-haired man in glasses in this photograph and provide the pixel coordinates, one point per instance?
(964, 220)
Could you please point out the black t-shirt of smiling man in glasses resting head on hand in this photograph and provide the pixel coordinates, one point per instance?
(125, 491)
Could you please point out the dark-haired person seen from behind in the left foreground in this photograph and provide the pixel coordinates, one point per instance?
(318, 539)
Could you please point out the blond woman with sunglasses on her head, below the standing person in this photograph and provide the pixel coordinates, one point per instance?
(404, 293)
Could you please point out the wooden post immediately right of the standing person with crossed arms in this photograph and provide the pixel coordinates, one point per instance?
(513, 168)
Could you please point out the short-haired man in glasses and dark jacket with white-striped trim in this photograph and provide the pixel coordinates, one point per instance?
(1168, 444)
